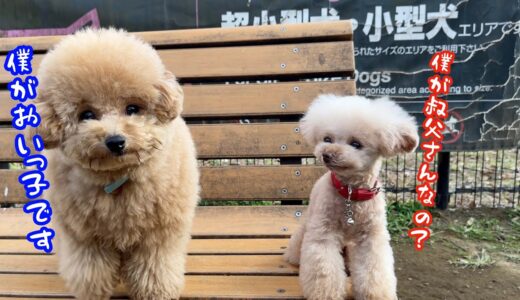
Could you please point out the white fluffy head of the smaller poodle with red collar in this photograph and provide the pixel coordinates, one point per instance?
(352, 133)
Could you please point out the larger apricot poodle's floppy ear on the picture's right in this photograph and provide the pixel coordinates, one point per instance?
(171, 99)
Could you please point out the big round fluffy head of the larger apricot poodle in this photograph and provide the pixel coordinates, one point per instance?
(105, 99)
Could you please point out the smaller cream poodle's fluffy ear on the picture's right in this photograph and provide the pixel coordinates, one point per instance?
(399, 132)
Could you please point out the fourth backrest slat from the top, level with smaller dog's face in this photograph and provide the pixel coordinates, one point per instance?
(220, 141)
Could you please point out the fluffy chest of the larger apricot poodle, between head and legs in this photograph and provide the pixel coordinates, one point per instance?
(122, 219)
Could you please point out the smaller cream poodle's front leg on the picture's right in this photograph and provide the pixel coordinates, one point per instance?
(371, 265)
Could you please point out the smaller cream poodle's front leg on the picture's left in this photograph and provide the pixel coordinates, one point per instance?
(322, 268)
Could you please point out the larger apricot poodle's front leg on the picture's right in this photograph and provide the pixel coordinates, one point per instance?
(154, 270)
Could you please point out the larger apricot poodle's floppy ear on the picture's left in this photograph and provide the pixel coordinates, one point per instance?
(50, 128)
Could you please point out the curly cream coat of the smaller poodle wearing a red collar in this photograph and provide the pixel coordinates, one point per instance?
(354, 133)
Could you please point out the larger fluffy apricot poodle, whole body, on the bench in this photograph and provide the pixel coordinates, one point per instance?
(139, 233)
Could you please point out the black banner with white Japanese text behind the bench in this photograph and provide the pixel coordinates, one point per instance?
(394, 41)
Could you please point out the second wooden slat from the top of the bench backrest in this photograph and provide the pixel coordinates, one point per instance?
(247, 60)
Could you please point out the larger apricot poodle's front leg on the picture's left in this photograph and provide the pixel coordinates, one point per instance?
(89, 270)
